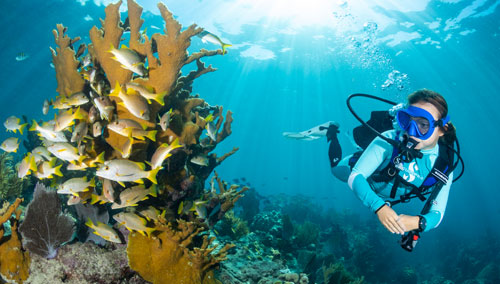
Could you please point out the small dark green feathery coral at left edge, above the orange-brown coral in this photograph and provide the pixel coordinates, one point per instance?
(10, 185)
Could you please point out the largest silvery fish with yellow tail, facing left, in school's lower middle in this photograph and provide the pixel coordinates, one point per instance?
(121, 170)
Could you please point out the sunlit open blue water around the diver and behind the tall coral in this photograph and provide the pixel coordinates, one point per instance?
(301, 77)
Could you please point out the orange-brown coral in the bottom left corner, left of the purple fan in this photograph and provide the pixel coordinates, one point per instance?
(14, 261)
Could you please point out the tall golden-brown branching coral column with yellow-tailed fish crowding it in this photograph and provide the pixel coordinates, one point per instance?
(105, 91)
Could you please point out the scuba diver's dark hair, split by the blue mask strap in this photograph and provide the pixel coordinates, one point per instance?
(450, 132)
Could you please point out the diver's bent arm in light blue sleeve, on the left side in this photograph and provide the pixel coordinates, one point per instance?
(370, 160)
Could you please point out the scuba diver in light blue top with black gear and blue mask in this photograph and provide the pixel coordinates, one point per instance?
(412, 158)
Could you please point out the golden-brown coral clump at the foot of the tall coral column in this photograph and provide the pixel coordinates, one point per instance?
(169, 256)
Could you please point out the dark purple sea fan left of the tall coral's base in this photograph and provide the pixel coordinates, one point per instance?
(45, 228)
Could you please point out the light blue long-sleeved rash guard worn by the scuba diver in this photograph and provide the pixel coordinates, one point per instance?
(374, 194)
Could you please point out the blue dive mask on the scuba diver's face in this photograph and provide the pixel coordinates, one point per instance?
(418, 122)
